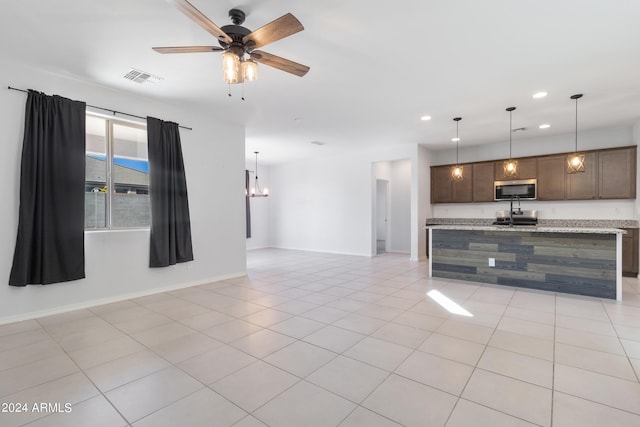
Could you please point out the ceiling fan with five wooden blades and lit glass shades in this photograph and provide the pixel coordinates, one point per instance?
(238, 44)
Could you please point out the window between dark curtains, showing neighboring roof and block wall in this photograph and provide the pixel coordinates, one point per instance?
(117, 175)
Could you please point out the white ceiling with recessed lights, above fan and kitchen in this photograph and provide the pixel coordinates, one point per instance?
(376, 67)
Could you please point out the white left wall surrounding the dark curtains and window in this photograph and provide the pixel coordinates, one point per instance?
(116, 262)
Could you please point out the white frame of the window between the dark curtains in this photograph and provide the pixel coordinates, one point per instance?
(109, 173)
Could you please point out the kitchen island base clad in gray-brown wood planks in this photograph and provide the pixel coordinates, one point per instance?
(576, 261)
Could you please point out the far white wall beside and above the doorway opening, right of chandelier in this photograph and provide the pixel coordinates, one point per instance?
(326, 203)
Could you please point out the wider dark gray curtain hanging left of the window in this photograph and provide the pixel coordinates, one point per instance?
(50, 241)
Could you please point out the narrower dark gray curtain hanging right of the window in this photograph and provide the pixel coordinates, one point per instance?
(170, 223)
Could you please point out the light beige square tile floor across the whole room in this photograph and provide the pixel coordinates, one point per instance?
(313, 339)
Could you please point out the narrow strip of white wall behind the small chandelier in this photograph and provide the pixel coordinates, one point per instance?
(260, 233)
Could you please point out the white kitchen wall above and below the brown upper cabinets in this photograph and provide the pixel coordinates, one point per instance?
(588, 140)
